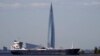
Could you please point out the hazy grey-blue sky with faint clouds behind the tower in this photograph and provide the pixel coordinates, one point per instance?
(76, 21)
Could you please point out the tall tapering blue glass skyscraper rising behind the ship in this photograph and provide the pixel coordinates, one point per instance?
(51, 30)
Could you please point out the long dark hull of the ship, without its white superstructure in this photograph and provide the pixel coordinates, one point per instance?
(46, 52)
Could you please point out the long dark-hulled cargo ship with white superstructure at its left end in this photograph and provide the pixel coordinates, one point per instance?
(17, 49)
